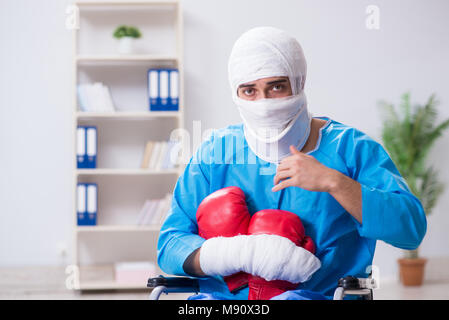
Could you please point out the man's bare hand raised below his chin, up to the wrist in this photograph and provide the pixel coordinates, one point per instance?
(304, 171)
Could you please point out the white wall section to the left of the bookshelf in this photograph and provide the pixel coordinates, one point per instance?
(35, 131)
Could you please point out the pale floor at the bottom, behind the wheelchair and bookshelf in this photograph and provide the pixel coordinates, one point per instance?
(49, 283)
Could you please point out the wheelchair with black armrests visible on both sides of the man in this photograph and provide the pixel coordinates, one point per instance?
(361, 288)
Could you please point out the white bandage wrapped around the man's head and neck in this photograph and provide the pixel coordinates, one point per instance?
(271, 125)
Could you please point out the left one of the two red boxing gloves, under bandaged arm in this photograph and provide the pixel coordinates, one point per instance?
(224, 213)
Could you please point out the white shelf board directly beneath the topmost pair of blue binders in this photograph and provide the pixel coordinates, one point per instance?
(128, 115)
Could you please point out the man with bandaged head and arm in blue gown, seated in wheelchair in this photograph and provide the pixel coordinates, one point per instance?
(342, 184)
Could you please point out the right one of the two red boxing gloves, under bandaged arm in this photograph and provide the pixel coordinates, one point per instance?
(281, 223)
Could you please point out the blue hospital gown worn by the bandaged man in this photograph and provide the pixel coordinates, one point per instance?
(390, 212)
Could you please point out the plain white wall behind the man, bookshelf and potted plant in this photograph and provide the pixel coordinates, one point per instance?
(349, 69)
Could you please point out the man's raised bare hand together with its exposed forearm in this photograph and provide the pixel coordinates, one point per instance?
(304, 171)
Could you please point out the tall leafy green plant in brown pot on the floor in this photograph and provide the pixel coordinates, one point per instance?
(408, 134)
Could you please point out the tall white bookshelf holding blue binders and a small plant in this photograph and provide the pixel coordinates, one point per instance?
(123, 186)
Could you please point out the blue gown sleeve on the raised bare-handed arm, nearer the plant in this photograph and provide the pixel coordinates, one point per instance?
(390, 212)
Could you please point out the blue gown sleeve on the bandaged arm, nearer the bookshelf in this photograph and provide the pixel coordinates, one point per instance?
(179, 237)
